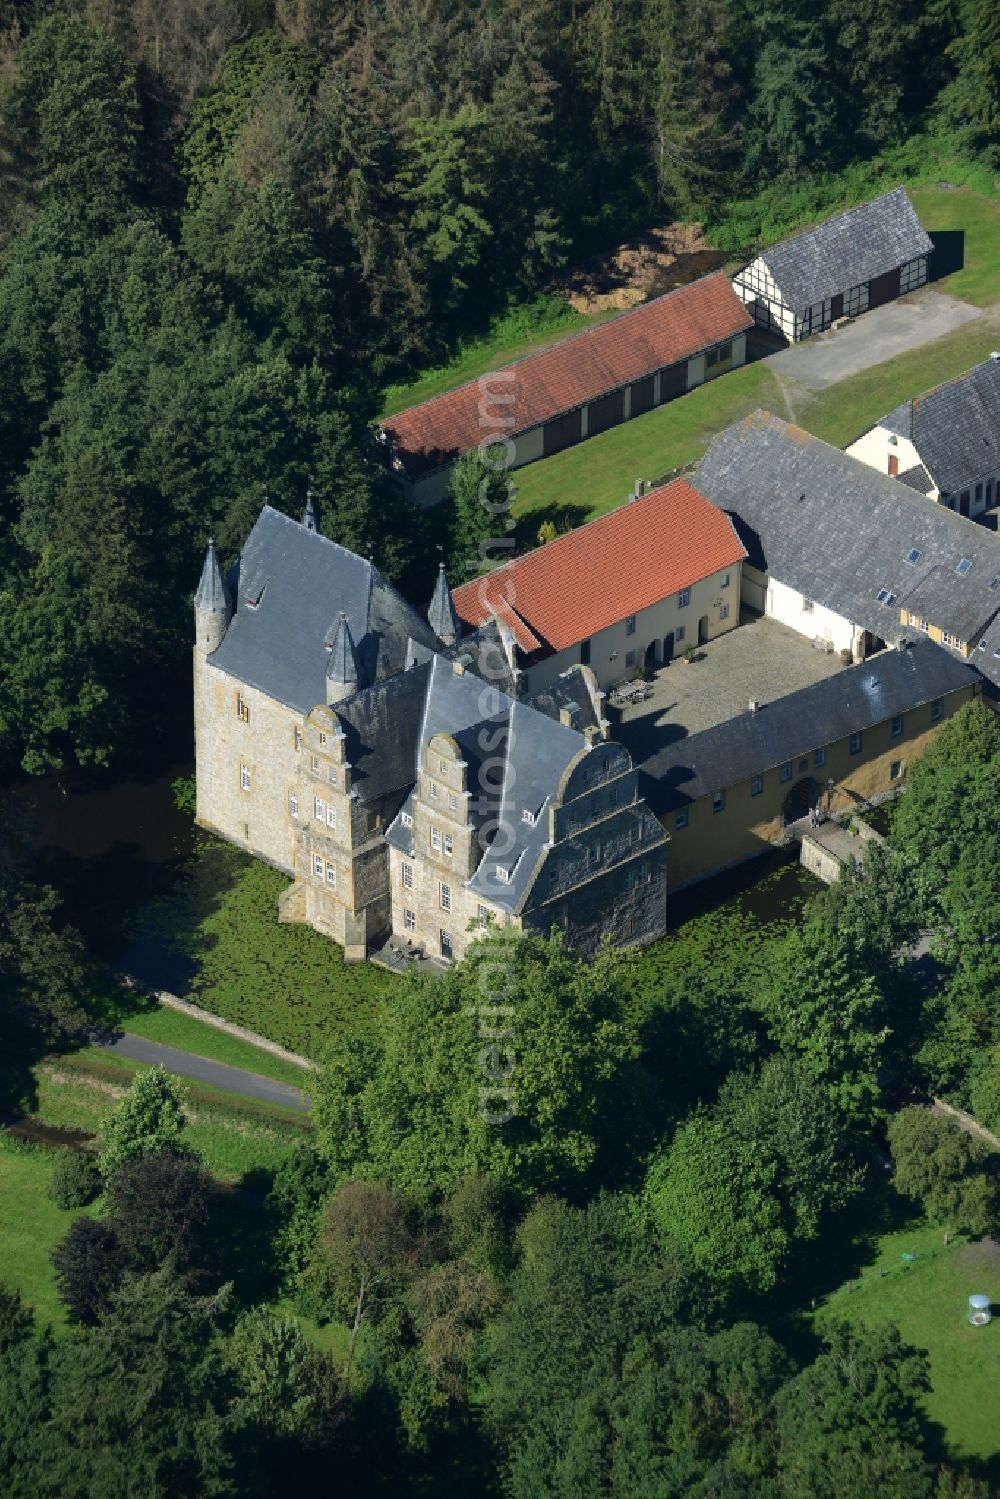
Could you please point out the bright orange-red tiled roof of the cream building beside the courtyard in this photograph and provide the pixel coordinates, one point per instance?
(605, 572)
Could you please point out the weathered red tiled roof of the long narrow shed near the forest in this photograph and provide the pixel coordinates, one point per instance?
(650, 338)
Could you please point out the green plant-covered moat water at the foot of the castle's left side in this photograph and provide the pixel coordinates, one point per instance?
(284, 983)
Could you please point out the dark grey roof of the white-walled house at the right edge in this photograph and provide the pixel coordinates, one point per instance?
(956, 428)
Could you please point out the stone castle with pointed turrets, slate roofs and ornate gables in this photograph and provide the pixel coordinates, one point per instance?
(400, 776)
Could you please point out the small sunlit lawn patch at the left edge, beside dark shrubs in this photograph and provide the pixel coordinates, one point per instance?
(31, 1227)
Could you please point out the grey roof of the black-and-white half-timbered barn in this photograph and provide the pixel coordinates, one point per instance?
(846, 251)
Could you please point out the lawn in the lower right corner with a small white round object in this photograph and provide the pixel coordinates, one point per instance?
(927, 1299)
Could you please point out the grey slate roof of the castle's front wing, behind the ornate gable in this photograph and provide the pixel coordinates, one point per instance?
(534, 753)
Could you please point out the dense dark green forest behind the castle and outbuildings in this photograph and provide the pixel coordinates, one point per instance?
(227, 224)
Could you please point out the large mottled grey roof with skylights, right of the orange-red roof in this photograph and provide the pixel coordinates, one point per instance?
(840, 533)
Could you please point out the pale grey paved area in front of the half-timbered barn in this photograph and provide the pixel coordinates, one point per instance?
(873, 338)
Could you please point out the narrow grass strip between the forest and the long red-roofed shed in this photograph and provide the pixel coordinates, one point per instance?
(519, 332)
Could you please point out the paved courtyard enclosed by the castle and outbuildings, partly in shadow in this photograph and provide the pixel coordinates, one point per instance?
(720, 681)
